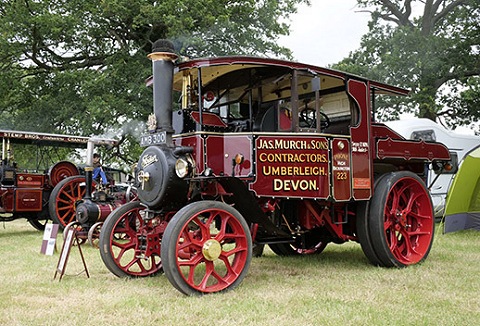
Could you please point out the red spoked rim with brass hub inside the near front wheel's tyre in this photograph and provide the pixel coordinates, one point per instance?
(213, 271)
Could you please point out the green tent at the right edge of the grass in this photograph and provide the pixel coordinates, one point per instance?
(462, 207)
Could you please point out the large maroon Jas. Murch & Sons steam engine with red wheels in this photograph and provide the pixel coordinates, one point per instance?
(263, 151)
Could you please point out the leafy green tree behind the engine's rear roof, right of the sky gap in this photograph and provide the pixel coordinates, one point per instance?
(431, 47)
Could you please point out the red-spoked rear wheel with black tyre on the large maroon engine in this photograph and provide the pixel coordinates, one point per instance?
(401, 221)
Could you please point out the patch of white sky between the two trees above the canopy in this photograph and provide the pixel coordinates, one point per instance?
(325, 32)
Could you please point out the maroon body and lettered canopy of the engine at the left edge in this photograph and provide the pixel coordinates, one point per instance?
(24, 193)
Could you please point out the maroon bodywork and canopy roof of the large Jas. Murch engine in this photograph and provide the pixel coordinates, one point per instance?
(265, 168)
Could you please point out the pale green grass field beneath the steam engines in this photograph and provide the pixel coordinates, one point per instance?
(337, 287)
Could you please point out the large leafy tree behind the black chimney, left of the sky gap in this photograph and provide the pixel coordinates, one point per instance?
(79, 66)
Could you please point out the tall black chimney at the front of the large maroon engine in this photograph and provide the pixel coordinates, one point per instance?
(163, 58)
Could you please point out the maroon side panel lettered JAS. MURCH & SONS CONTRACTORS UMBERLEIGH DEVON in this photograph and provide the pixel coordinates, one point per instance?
(292, 167)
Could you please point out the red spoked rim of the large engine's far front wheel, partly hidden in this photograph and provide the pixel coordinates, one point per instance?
(135, 245)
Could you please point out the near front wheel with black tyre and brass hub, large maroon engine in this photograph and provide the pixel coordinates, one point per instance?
(206, 248)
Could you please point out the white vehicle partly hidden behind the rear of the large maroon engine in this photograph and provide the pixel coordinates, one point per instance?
(426, 129)
